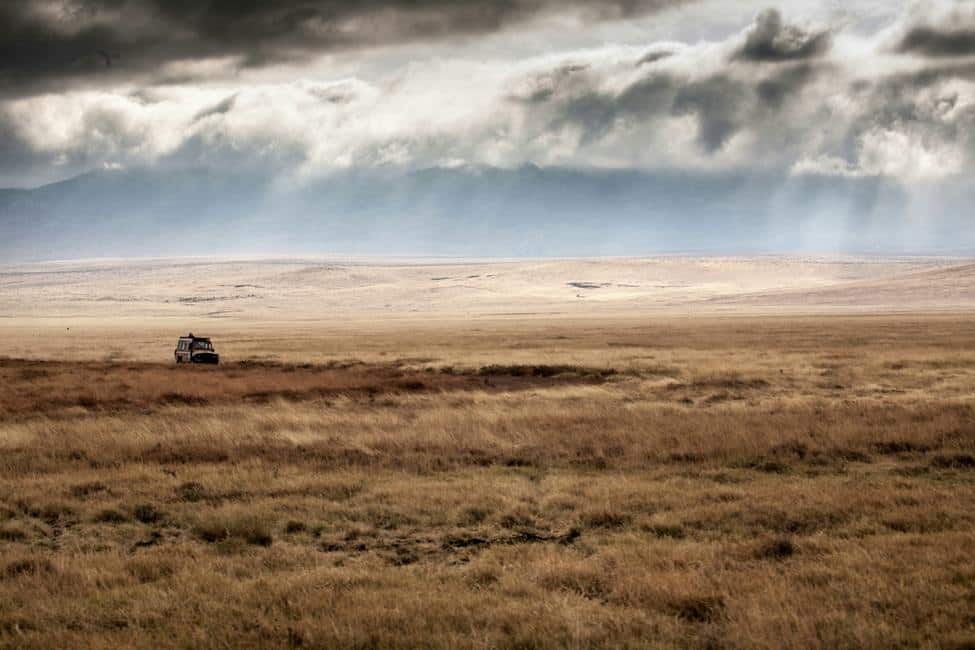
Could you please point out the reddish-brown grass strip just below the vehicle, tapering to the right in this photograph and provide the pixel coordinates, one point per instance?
(49, 387)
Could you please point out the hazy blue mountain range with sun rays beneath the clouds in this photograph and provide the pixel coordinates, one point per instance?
(461, 211)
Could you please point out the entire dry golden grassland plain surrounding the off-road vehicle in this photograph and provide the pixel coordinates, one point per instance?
(670, 452)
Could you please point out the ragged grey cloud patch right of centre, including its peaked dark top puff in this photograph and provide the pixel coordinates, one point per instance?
(736, 96)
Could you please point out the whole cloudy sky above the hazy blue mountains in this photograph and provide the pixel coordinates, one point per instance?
(304, 88)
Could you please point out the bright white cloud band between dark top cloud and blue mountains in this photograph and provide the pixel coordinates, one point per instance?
(688, 106)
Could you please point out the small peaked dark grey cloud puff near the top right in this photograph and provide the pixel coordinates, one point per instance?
(772, 40)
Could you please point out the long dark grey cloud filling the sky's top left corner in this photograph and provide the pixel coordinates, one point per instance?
(45, 44)
